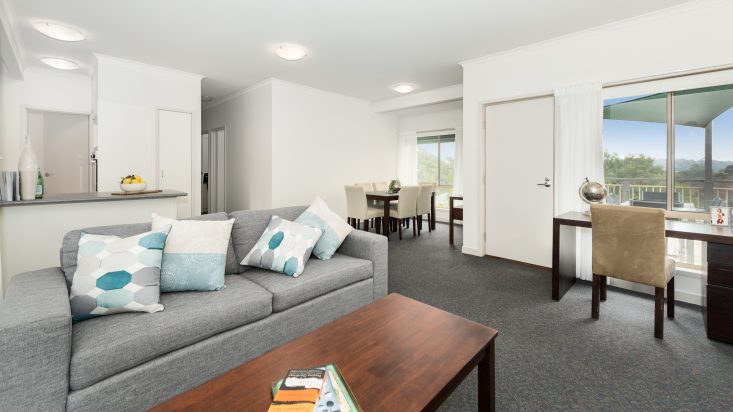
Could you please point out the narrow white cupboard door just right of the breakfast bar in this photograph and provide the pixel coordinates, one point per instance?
(174, 156)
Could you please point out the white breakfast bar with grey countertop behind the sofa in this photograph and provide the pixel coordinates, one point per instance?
(31, 230)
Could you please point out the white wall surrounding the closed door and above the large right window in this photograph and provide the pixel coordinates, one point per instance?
(694, 35)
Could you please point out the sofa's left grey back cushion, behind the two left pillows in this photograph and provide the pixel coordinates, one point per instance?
(70, 243)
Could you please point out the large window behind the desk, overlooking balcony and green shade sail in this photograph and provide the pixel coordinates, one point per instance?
(679, 139)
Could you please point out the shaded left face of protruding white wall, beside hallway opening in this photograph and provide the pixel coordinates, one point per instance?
(247, 117)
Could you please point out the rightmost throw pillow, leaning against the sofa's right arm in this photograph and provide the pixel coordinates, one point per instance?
(335, 229)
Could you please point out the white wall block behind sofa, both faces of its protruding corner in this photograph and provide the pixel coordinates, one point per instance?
(287, 143)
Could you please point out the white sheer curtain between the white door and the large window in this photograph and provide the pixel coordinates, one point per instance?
(578, 154)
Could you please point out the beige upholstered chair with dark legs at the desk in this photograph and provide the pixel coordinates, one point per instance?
(629, 243)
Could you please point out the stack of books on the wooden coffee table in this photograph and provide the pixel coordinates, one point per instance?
(320, 389)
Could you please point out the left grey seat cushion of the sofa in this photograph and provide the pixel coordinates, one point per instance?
(105, 346)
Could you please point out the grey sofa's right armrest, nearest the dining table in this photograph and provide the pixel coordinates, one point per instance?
(369, 246)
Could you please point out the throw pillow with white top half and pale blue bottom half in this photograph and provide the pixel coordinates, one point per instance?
(195, 254)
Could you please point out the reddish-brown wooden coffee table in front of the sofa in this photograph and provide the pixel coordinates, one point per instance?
(396, 354)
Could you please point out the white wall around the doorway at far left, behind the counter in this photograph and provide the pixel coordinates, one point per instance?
(44, 89)
